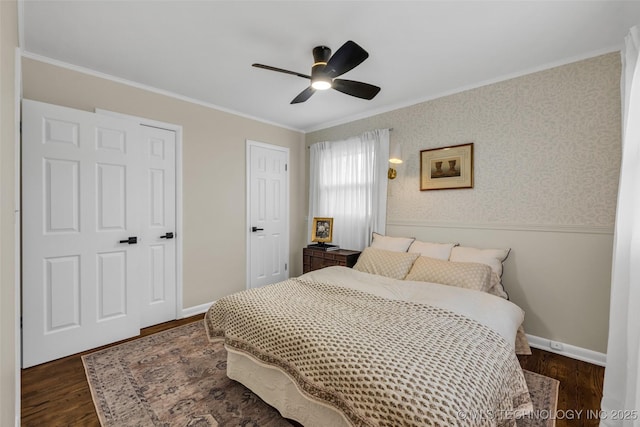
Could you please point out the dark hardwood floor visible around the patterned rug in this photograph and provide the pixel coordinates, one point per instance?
(57, 393)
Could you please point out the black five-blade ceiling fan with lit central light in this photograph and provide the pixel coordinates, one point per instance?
(326, 68)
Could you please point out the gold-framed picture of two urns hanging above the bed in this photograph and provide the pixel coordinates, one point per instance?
(446, 168)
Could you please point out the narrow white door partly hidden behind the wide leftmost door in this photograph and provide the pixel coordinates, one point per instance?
(159, 225)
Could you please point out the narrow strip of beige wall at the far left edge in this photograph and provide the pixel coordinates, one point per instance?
(8, 364)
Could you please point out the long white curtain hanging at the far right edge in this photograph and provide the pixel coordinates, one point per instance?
(622, 375)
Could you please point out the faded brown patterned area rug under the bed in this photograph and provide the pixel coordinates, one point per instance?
(178, 378)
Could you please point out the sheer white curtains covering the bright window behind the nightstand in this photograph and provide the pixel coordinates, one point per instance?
(348, 182)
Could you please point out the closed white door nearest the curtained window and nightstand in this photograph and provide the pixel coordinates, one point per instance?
(268, 214)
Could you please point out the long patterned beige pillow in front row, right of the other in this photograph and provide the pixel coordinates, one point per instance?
(469, 275)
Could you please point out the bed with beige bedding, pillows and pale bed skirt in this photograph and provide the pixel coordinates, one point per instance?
(378, 345)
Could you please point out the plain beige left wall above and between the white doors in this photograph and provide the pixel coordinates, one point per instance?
(214, 184)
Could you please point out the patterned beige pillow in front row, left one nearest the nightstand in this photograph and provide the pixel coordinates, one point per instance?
(385, 263)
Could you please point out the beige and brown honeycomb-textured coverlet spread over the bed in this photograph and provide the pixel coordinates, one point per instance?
(380, 361)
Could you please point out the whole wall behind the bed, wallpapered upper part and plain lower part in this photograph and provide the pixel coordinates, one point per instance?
(547, 157)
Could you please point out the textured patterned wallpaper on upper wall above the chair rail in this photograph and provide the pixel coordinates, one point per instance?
(546, 149)
